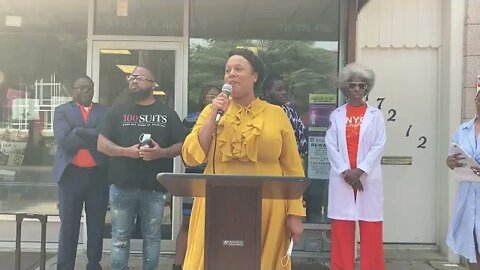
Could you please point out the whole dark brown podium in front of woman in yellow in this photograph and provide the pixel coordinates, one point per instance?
(233, 214)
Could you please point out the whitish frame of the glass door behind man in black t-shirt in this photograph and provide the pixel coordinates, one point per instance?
(180, 106)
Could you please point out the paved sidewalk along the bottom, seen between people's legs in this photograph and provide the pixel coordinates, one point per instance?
(404, 259)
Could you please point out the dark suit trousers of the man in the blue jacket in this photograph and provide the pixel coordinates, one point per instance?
(79, 186)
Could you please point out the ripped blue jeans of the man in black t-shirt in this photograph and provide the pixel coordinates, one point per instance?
(125, 203)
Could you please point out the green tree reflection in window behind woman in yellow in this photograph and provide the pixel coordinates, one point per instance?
(304, 65)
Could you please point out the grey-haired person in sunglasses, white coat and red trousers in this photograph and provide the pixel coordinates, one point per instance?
(355, 141)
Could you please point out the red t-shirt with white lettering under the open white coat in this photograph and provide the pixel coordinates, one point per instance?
(354, 121)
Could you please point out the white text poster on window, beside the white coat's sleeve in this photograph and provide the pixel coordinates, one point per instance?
(318, 165)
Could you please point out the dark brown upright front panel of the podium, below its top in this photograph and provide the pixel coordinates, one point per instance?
(233, 228)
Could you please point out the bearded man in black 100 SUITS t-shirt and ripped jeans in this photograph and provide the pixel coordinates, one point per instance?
(134, 166)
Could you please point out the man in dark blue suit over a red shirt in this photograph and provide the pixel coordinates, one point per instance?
(81, 173)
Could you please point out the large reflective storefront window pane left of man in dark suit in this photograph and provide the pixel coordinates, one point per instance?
(42, 50)
